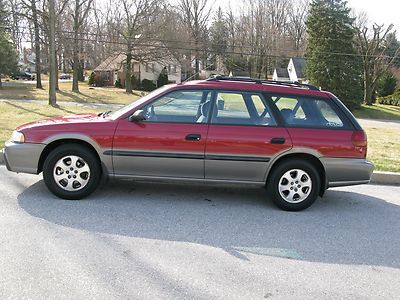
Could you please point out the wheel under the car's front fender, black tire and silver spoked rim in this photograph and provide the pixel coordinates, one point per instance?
(88, 159)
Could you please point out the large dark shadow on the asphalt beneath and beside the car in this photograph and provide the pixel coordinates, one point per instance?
(341, 228)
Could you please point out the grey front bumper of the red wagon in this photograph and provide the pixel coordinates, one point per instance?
(22, 158)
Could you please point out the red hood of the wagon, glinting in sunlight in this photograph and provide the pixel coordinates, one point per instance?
(71, 119)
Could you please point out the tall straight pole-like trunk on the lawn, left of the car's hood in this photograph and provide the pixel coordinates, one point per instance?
(53, 67)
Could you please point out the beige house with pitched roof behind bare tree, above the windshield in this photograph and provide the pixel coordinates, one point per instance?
(114, 68)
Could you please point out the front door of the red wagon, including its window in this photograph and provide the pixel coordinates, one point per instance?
(170, 142)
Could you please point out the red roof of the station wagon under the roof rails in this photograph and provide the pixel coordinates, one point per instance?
(252, 85)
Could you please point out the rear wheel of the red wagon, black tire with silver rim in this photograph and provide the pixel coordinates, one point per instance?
(275, 180)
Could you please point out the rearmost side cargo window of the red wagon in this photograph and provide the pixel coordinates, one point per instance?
(308, 112)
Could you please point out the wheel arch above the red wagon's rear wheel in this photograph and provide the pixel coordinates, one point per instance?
(307, 156)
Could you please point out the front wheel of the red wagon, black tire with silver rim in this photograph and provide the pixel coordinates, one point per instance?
(71, 172)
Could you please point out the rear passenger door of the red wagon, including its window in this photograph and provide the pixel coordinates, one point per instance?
(242, 138)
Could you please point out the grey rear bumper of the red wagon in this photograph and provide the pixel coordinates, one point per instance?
(347, 171)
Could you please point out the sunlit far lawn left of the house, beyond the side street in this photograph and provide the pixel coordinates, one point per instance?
(87, 94)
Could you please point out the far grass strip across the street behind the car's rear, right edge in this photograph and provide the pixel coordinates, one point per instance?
(378, 112)
